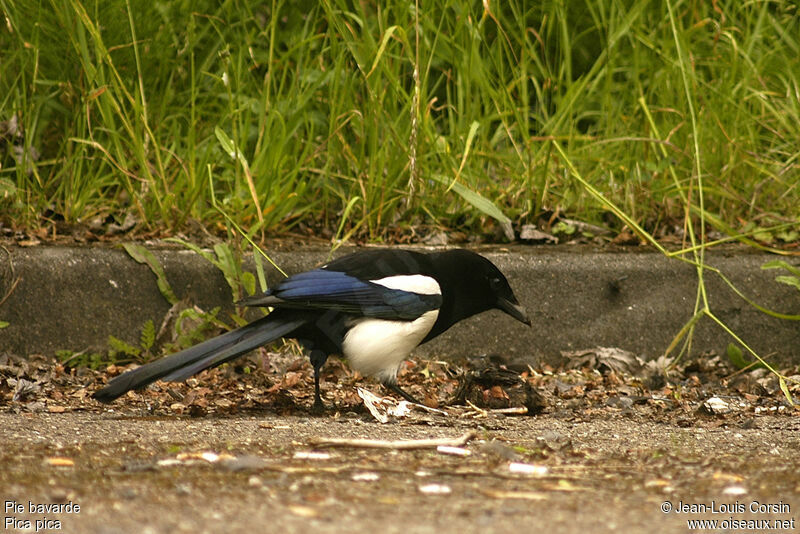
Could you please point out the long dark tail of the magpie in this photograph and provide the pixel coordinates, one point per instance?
(205, 355)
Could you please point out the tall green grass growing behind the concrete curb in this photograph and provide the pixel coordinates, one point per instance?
(134, 107)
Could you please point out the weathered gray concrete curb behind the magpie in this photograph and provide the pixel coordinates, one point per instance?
(75, 297)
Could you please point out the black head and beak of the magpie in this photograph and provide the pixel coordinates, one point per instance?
(474, 284)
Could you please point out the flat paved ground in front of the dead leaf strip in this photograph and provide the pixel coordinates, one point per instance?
(607, 474)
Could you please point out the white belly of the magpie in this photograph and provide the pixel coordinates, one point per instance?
(377, 347)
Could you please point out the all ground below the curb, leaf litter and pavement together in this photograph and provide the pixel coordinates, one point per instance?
(607, 452)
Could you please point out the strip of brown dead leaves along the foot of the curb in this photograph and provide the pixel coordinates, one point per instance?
(591, 383)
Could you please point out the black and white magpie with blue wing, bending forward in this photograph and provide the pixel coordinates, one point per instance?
(373, 307)
